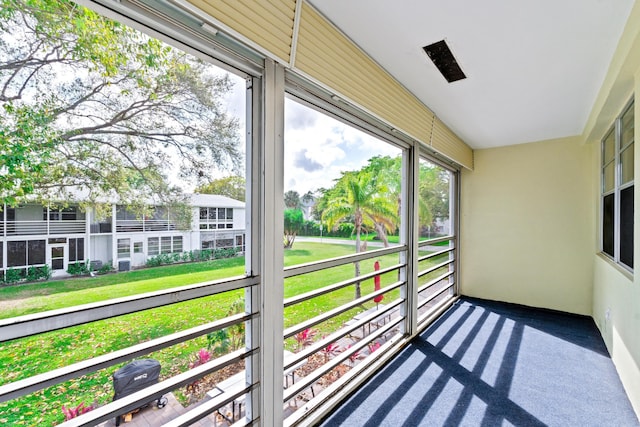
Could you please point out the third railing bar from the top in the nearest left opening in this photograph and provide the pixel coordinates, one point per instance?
(137, 399)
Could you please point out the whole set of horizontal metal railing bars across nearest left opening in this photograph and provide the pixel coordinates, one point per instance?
(24, 326)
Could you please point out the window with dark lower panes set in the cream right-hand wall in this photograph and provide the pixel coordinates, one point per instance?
(617, 189)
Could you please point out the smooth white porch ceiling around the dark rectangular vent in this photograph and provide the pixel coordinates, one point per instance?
(534, 67)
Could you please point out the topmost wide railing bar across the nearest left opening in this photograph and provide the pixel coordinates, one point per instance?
(32, 324)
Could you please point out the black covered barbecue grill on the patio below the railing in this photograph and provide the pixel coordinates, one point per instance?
(136, 376)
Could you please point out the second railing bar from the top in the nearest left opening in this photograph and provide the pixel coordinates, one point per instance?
(37, 382)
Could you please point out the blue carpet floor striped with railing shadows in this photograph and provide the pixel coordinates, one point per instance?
(493, 364)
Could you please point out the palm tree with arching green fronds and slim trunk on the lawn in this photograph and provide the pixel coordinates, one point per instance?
(356, 198)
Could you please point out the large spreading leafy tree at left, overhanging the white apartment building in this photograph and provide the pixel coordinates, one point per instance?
(89, 104)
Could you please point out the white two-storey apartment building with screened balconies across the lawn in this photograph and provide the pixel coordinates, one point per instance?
(36, 235)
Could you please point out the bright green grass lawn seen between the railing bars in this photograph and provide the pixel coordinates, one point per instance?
(26, 357)
